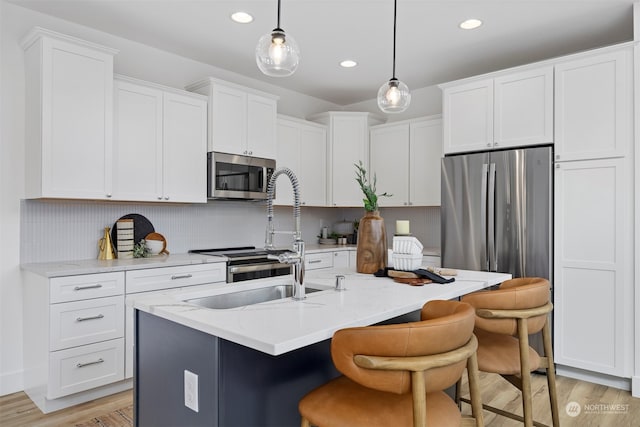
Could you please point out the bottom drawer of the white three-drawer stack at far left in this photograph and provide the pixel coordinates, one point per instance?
(82, 368)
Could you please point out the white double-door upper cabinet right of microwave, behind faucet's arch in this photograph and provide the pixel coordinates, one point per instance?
(302, 147)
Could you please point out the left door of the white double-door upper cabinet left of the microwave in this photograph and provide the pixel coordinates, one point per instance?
(137, 143)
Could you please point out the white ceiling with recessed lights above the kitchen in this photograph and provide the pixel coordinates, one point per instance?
(431, 49)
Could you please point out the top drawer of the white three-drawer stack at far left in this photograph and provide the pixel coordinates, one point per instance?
(86, 286)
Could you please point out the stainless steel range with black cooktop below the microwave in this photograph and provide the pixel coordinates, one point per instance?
(247, 262)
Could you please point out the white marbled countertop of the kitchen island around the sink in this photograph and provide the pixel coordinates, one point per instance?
(280, 326)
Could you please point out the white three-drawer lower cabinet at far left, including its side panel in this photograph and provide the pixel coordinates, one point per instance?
(73, 335)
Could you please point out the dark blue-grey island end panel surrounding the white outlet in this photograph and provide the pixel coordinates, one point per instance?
(163, 351)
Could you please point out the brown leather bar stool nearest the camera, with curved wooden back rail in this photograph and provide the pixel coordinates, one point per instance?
(394, 375)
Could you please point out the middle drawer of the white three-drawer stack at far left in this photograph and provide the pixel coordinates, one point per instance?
(84, 322)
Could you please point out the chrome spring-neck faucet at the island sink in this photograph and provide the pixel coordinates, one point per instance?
(296, 258)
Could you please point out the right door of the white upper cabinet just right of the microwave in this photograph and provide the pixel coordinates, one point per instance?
(313, 165)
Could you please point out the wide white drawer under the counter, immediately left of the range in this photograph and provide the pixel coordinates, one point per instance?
(174, 277)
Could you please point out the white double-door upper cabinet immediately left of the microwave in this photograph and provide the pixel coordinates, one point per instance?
(160, 143)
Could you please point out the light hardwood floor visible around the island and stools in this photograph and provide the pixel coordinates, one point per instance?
(16, 410)
